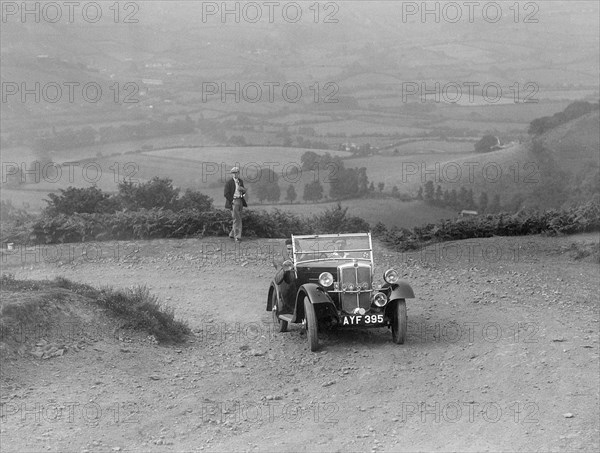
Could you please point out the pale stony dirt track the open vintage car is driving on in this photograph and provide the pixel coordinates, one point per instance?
(501, 355)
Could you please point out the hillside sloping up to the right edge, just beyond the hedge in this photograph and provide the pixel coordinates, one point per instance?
(572, 155)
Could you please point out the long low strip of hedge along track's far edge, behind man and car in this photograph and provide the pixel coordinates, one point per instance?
(159, 223)
